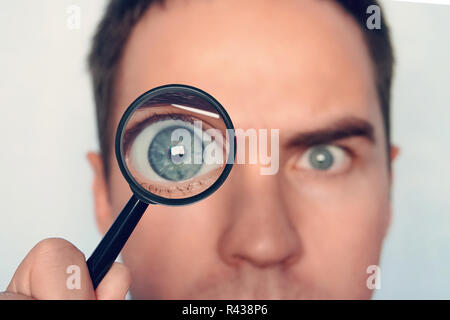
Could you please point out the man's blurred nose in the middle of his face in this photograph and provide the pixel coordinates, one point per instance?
(258, 230)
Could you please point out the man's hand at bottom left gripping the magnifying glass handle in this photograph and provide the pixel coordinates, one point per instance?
(43, 275)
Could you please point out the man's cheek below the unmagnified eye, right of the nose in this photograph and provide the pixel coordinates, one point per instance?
(341, 219)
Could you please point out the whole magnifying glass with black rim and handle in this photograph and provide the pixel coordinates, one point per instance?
(175, 145)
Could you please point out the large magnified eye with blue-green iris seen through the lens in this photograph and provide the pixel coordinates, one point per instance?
(170, 150)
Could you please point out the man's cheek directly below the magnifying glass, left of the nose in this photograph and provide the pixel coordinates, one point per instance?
(171, 249)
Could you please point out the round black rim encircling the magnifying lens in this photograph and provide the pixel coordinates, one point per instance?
(138, 190)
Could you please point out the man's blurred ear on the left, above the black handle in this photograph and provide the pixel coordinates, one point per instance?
(100, 191)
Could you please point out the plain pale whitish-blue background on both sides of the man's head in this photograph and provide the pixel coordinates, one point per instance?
(47, 125)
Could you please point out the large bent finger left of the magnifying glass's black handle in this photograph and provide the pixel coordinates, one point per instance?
(53, 269)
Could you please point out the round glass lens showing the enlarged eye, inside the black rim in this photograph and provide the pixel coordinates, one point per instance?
(175, 145)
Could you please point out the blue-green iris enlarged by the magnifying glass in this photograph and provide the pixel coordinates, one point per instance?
(161, 155)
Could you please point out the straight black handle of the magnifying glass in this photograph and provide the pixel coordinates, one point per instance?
(112, 243)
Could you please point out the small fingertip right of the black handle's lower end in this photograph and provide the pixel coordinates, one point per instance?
(115, 284)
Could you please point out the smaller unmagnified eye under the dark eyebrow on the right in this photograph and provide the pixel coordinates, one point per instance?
(326, 158)
